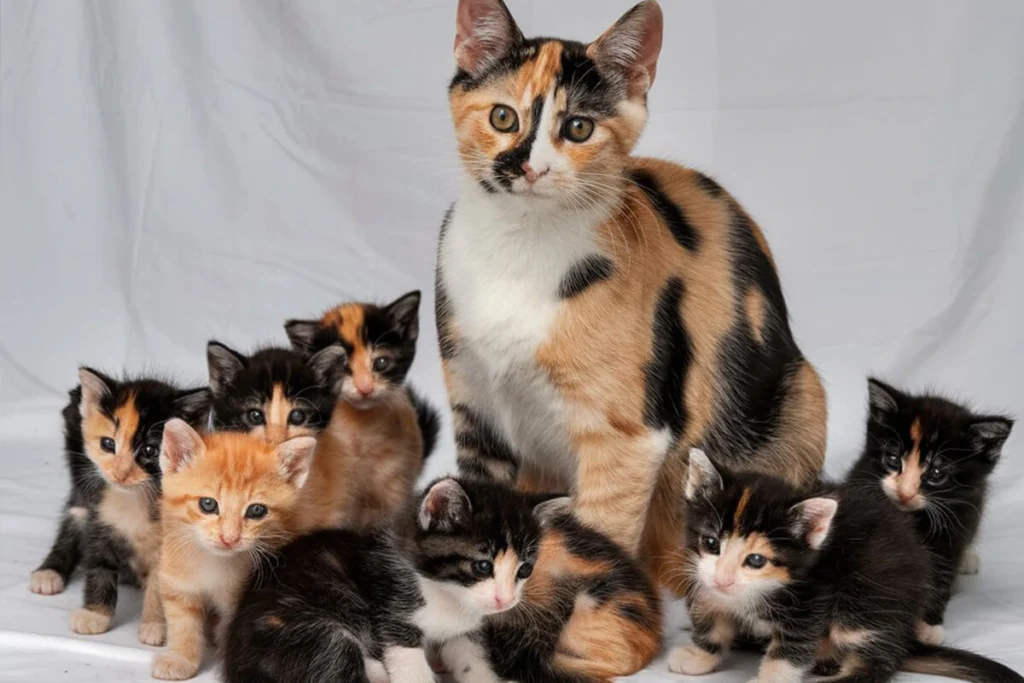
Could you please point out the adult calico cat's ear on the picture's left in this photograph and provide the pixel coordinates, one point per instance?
(485, 31)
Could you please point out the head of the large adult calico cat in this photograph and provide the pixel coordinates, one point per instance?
(545, 119)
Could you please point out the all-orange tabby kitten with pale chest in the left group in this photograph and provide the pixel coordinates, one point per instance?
(229, 498)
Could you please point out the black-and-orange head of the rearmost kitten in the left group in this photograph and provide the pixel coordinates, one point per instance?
(380, 343)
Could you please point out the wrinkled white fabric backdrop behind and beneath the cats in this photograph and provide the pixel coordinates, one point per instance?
(177, 170)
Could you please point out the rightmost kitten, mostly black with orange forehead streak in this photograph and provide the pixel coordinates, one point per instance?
(933, 459)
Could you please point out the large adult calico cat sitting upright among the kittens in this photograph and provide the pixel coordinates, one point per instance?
(599, 314)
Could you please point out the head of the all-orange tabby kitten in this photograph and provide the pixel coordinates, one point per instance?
(229, 492)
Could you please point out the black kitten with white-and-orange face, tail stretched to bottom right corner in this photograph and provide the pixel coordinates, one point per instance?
(832, 576)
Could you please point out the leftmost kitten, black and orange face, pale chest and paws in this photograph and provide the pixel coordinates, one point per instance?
(111, 522)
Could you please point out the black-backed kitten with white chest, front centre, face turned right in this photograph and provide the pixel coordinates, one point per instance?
(344, 606)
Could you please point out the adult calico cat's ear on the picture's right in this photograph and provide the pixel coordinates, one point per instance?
(631, 47)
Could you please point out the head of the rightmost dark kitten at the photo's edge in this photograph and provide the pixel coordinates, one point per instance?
(926, 450)
